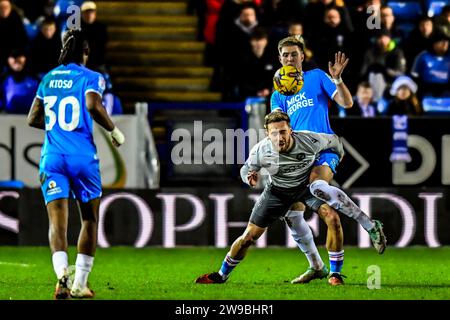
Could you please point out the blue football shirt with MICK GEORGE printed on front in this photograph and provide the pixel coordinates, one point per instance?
(308, 109)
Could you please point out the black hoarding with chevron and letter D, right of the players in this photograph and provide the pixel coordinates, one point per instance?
(368, 146)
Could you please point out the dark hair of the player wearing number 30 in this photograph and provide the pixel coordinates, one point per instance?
(74, 47)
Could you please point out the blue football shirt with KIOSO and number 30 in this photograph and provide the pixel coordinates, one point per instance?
(68, 123)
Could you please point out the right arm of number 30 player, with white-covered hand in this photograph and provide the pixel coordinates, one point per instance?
(99, 114)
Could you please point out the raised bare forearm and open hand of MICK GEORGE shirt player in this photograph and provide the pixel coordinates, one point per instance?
(343, 96)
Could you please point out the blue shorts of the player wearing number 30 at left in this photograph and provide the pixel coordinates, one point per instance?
(61, 175)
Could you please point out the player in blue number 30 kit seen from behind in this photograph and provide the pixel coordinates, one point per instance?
(67, 100)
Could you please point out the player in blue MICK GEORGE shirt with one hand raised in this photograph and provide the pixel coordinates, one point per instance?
(308, 111)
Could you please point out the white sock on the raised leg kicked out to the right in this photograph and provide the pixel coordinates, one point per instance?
(339, 200)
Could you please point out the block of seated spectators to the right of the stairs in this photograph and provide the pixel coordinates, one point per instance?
(399, 53)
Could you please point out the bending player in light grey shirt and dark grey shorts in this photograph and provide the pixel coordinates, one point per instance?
(288, 157)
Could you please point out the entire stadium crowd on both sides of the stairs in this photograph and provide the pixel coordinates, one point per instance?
(399, 53)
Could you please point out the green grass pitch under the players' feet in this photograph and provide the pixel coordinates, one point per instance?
(127, 273)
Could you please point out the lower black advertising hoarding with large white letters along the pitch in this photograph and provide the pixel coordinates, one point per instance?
(215, 217)
